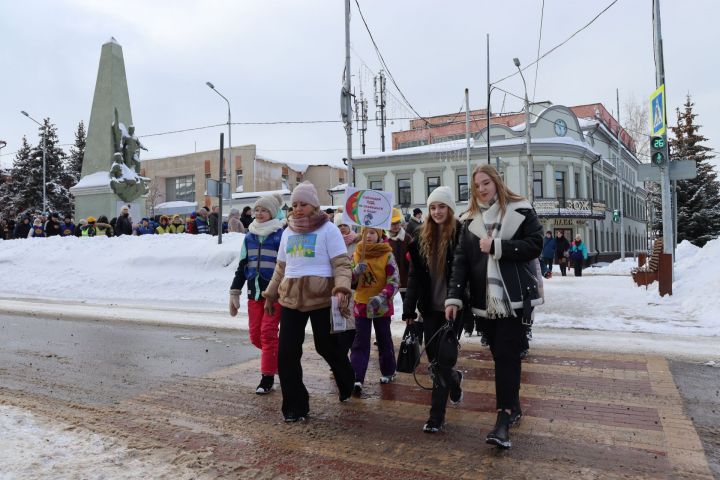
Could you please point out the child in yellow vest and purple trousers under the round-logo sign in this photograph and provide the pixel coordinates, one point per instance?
(376, 275)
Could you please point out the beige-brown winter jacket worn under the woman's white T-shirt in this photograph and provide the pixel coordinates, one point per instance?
(311, 292)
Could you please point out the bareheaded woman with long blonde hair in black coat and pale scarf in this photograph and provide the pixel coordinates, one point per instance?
(496, 261)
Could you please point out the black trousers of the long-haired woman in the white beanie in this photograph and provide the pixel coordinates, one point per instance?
(446, 378)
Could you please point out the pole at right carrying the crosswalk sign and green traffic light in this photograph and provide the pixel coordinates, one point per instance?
(665, 168)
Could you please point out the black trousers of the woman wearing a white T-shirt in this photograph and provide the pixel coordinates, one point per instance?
(292, 335)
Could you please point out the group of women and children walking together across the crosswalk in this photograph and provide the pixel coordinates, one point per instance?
(482, 264)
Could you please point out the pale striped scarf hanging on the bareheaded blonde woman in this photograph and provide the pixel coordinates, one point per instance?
(498, 303)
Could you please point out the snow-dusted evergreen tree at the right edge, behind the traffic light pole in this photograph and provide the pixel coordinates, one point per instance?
(698, 199)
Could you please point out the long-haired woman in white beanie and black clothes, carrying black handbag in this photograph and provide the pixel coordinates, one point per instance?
(431, 258)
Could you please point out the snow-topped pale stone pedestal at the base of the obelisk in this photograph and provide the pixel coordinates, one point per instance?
(94, 197)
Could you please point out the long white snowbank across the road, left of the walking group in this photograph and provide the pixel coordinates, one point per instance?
(163, 269)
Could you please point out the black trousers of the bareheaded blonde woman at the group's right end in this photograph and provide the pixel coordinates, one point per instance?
(506, 338)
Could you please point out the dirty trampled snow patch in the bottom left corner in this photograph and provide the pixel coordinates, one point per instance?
(33, 447)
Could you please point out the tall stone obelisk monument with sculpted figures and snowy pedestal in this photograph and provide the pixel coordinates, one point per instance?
(100, 192)
